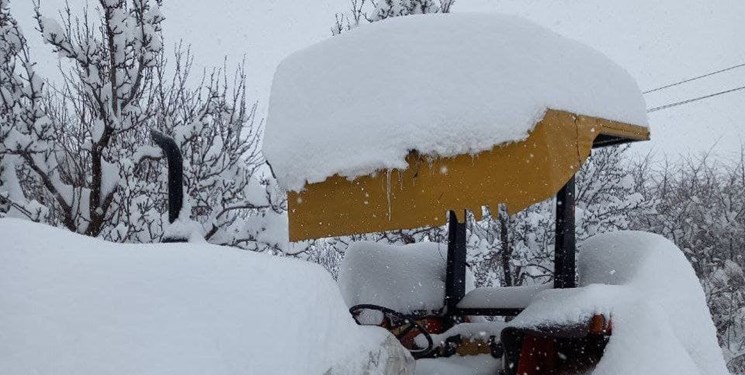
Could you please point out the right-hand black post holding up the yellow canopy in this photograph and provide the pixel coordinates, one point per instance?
(564, 254)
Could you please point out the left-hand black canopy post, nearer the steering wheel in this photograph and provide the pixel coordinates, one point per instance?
(455, 275)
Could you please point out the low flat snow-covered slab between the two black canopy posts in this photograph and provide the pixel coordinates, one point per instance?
(498, 301)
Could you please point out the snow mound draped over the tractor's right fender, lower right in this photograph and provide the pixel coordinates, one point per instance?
(661, 324)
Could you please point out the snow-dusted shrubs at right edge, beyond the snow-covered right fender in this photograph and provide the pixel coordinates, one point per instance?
(699, 205)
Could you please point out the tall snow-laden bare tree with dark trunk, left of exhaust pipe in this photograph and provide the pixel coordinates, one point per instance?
(111, 65)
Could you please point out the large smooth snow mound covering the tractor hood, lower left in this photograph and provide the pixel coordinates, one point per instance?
(76, 305)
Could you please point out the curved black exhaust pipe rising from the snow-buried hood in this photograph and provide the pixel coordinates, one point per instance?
(175, 177)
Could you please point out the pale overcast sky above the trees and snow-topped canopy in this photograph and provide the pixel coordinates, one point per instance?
(658, 41)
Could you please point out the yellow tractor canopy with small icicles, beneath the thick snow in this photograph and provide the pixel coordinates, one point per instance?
(516, 174)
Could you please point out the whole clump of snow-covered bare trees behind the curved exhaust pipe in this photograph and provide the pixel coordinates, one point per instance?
(79, 155)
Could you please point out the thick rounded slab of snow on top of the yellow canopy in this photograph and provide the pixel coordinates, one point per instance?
(443, 85)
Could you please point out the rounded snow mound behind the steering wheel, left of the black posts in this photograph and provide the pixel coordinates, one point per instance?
(405, 278)
